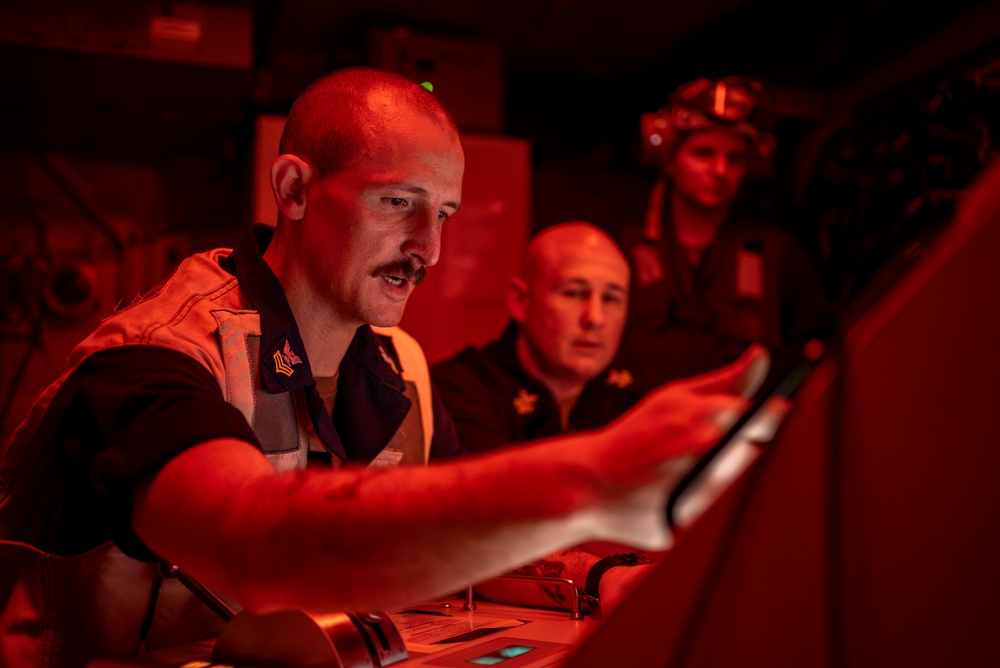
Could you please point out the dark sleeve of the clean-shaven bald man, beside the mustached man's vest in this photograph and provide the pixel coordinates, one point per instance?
(472, 406)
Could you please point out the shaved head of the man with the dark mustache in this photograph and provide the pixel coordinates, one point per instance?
(371, 166)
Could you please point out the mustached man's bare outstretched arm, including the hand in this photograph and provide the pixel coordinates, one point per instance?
(380, 539)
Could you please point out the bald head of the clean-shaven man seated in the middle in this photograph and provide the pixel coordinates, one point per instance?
(571, 301)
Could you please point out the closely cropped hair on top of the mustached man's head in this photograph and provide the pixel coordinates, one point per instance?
(335, 119)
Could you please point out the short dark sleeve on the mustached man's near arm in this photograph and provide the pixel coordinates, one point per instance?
(127, 412)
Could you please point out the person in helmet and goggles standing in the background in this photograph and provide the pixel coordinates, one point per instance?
(706, 281)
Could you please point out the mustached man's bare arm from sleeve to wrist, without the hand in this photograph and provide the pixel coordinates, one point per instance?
(358, 538)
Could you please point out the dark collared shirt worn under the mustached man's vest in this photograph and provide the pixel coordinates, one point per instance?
(115, 420)
